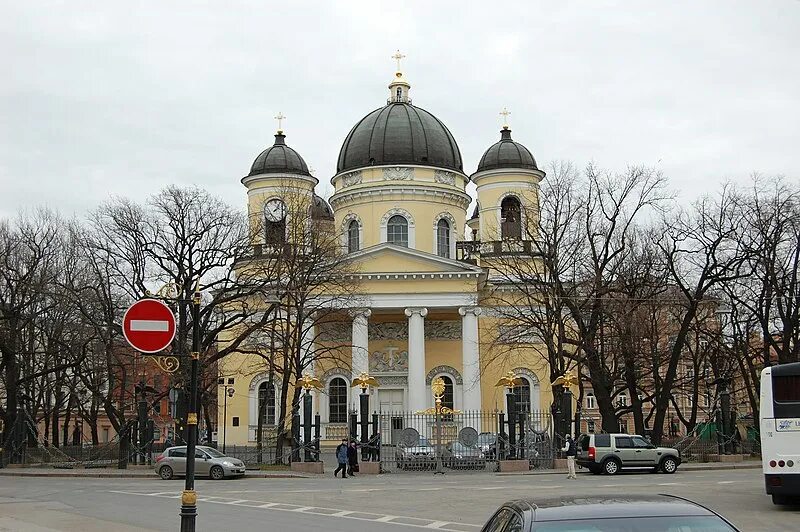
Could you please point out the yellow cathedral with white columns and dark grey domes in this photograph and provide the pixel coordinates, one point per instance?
(423, 267)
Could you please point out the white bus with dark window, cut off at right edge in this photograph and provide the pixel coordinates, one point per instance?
(780, 432)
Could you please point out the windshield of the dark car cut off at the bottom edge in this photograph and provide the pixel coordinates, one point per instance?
(702, 523)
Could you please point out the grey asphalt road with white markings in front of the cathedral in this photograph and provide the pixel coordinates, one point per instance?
(399, 502)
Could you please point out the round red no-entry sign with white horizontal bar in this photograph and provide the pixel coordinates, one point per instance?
(149, 326)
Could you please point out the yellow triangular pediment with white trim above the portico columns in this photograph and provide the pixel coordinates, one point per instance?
(389, 258)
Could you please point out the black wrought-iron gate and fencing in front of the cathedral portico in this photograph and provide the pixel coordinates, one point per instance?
(463, 441)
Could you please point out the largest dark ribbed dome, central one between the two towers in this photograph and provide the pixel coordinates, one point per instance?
(399, 133)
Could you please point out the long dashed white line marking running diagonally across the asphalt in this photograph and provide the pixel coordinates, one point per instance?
(413, 522)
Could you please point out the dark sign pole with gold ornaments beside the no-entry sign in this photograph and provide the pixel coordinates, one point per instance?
(189, 496)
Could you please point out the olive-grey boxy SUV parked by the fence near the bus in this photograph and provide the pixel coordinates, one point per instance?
(609, 453)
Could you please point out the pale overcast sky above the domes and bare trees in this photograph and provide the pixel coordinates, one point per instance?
(123, 98)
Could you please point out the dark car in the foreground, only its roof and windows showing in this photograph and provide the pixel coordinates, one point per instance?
(645, 513)
